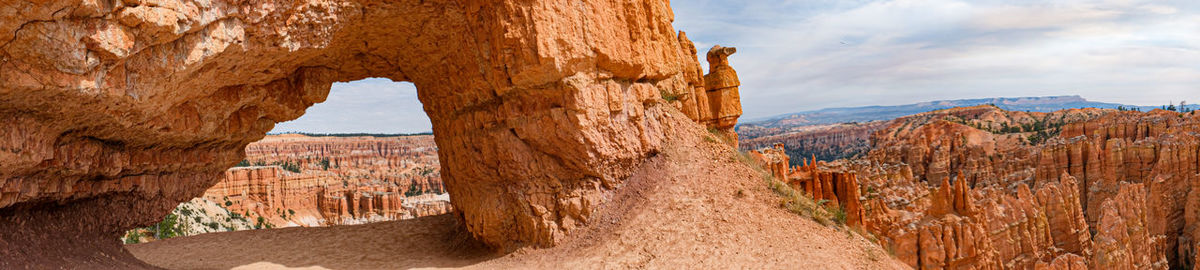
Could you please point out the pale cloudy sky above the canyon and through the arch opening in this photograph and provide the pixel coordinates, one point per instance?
(809, 55)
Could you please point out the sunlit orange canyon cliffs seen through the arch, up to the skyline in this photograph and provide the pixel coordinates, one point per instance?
(341, 181)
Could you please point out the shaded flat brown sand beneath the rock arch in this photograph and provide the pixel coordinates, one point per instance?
(434, 242)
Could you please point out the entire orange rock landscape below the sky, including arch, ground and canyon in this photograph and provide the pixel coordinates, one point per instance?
(578, 135)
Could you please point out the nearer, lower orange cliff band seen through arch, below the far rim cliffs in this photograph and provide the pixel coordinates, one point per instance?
(287, 200)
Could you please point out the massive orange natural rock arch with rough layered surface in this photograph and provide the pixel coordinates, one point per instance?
(117, 112)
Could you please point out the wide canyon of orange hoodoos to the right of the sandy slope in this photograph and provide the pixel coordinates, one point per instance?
(981, 188)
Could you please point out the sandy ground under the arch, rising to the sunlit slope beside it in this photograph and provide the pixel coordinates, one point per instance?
(681, 211)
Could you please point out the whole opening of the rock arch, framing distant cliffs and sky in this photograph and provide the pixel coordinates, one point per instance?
(365, 155)
